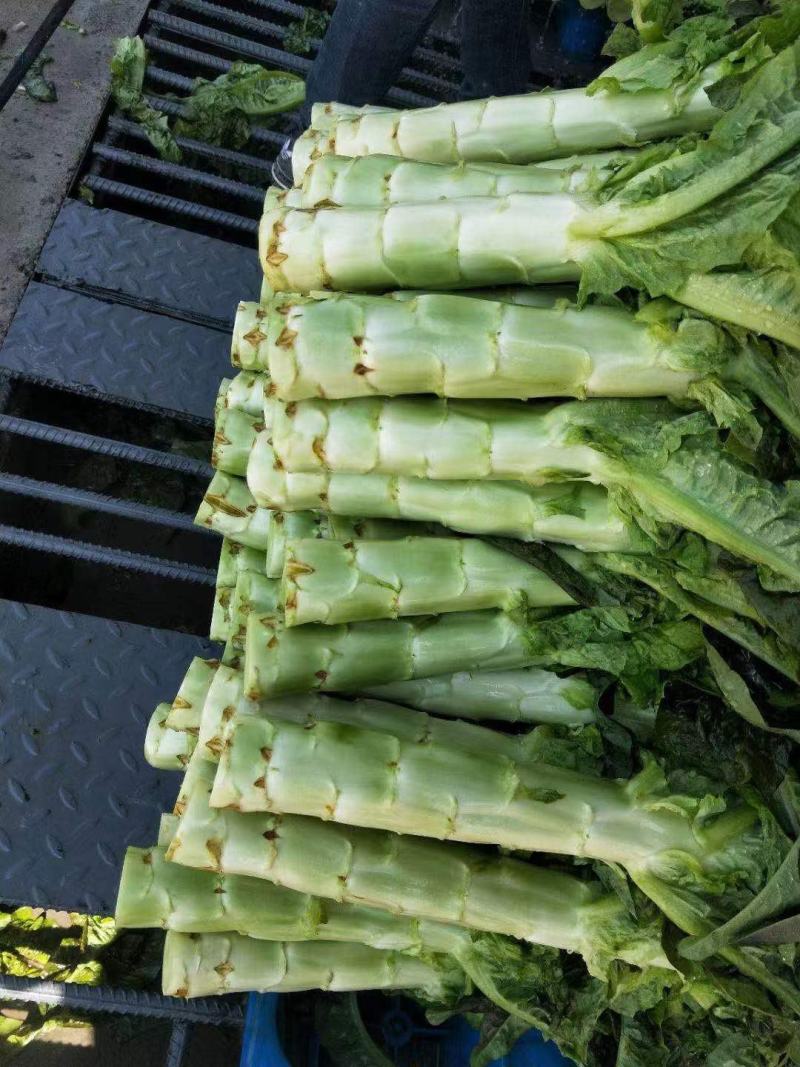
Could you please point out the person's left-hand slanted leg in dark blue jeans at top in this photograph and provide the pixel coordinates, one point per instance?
(366, 46)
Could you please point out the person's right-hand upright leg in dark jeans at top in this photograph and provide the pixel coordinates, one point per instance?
(495, 49)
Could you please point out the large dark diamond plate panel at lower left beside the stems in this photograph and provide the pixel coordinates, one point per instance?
(76, 694)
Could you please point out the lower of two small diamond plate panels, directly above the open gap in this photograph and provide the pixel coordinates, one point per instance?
(120, 352)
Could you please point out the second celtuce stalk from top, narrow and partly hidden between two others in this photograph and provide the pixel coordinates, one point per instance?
(377, 180)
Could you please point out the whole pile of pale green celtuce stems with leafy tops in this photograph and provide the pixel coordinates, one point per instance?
(542, 545)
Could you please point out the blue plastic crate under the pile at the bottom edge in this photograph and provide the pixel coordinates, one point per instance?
(262, 1046)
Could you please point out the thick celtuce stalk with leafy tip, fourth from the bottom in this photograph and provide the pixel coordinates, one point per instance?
(362, 778)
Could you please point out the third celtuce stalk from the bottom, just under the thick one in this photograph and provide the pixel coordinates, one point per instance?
(409, 875)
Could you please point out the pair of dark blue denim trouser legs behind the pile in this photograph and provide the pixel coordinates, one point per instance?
(370, 42)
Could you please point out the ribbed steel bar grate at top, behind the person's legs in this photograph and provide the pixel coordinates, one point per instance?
(187, 39)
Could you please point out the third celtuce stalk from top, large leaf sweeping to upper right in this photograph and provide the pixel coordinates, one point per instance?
(691, 213)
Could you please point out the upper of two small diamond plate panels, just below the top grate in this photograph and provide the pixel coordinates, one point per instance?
(164, 267)
